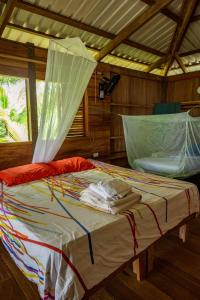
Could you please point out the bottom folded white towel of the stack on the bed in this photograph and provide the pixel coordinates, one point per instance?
(115, 206)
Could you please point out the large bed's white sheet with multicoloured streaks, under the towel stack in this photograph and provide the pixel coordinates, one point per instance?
(67, 248)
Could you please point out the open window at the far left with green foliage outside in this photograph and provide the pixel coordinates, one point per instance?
(13, 110)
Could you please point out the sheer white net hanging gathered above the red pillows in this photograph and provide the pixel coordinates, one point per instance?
(69, 69)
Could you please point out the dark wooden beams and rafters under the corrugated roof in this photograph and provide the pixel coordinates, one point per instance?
(164, 60)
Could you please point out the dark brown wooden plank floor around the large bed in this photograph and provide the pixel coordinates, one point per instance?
(176, 275)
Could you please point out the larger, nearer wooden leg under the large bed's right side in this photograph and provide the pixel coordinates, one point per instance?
(143, 264)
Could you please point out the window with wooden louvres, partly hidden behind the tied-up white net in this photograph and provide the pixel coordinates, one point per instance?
(78, 126)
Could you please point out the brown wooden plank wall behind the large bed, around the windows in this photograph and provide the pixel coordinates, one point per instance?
(135, 94)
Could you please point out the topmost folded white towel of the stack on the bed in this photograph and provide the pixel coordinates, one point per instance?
(114, 188)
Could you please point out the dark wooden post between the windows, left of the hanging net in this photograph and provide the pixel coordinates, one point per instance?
(33, 118)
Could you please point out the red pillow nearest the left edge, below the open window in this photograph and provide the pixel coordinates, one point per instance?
(26, 173)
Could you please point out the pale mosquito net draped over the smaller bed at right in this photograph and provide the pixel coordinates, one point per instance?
(167, 145)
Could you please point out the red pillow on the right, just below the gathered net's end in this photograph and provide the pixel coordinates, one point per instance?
(73, 164)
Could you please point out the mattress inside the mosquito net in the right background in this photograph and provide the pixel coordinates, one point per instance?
(171, 166)
